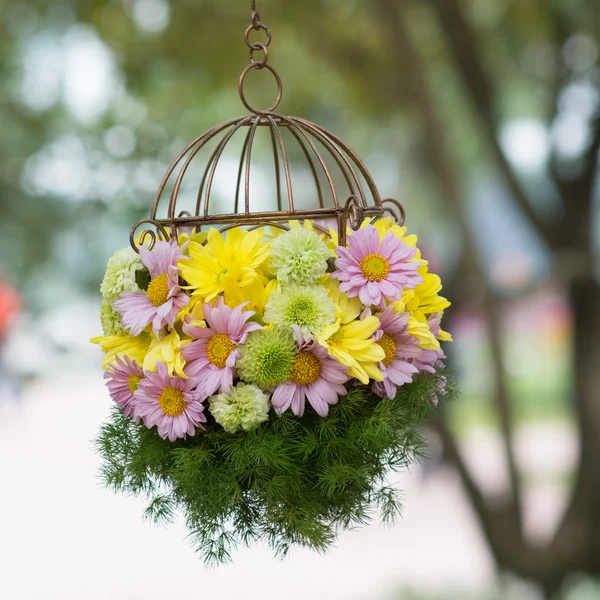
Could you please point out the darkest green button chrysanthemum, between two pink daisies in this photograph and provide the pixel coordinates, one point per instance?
(267, 357)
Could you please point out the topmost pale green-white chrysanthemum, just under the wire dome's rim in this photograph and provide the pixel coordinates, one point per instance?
(299, 256)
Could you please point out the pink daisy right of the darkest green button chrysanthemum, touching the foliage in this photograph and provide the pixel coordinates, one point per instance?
(316, 377)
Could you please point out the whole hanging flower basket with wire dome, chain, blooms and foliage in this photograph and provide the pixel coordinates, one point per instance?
(269, 368)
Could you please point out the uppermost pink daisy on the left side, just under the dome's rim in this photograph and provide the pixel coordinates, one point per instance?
(163, 299)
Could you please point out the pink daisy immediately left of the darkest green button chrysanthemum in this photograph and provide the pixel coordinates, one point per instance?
(211, 359)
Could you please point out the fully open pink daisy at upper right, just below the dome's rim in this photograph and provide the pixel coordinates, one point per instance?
(374, 269)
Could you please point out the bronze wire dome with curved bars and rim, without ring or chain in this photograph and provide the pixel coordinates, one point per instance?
(309, 136)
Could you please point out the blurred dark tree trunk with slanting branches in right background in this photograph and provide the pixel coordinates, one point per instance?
(569, 32)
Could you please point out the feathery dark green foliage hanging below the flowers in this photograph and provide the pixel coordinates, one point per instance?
(291, 481)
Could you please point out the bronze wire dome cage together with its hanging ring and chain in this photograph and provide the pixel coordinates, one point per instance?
(343, 191)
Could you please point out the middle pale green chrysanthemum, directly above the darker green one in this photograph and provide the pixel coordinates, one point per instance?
(310, 307)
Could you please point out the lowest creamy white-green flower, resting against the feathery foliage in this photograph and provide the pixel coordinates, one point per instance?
(245, 408)
